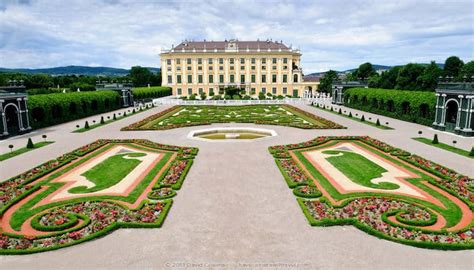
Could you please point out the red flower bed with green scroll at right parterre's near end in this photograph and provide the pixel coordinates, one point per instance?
(370, 214)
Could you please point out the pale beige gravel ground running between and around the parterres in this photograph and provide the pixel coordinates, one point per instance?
(235, 208)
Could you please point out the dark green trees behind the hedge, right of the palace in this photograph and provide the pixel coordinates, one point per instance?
(420, 77)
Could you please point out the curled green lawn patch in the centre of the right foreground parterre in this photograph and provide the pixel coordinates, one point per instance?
(359, 169)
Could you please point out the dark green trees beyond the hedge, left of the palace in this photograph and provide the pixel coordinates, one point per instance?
(44, 83)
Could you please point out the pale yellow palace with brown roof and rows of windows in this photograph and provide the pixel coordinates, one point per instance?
(196, 67)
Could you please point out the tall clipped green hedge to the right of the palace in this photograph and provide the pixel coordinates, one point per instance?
(413, 106)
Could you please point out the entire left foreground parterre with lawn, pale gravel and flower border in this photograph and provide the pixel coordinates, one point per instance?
(77, 197)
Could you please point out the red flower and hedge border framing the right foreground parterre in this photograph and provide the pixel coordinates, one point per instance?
(398, 218)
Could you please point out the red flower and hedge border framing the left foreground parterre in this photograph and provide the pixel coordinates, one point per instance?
(72, 221)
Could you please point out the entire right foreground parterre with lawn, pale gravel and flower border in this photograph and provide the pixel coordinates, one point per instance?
(426, 205)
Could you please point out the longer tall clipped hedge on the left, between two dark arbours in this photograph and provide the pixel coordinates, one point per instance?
(51, 109)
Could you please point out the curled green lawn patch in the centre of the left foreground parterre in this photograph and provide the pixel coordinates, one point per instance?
(109, 172)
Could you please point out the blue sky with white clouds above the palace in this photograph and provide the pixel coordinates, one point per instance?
(331, 34)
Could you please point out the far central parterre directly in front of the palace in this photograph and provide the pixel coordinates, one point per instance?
(183, 116)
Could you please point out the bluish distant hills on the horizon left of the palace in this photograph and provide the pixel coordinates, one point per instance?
(75, 70)
